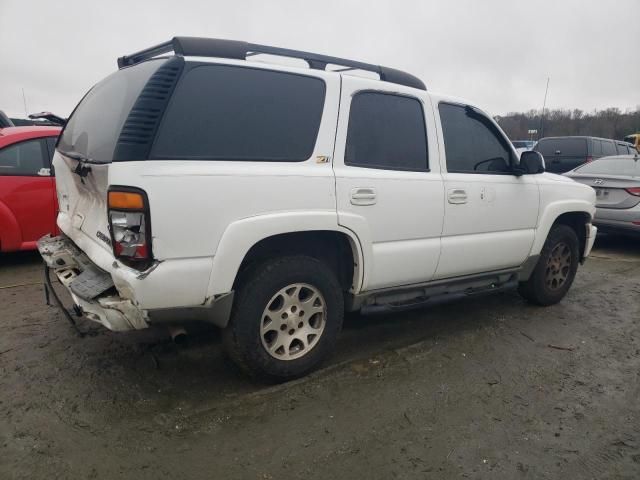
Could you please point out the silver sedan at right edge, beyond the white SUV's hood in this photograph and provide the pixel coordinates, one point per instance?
(616, 181)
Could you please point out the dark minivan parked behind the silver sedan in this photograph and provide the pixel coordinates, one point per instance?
(562, 154)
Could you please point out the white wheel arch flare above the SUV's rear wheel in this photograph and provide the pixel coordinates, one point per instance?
(241, 235)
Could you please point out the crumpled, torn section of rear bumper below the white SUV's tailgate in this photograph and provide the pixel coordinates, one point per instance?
(90, 287)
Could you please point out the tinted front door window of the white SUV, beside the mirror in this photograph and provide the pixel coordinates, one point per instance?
(471, 145)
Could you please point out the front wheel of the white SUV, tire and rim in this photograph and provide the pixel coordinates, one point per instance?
(556, 268)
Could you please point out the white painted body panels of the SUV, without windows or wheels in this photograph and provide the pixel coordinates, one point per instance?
(206, 215)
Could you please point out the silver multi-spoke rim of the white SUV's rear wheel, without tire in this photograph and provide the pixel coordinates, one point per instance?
(293, 321)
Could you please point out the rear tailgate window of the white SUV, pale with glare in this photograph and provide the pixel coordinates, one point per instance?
(95, 125)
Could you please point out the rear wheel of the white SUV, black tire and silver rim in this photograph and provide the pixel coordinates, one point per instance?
(268, 327)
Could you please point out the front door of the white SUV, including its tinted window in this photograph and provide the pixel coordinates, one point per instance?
(490, 214)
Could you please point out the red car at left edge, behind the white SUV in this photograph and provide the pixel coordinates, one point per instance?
(28, 203)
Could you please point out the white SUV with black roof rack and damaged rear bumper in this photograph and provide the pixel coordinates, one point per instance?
(268, 199)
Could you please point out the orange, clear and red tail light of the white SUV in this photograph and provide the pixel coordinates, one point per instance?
(130, 226)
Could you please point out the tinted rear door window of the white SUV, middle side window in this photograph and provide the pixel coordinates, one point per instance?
(386, 131)
